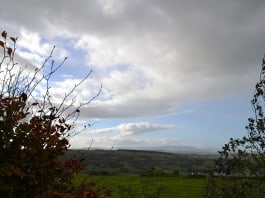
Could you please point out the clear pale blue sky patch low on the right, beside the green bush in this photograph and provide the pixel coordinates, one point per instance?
(212, 122)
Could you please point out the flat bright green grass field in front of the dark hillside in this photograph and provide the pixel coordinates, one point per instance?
(139, 186)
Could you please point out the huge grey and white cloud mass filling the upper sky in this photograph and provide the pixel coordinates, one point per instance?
(188, 50)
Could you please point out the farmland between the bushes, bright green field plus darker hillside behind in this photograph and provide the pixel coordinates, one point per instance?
(130, 173)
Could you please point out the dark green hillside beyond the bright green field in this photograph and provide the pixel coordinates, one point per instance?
(139, 161)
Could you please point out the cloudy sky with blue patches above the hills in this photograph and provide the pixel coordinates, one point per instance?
(173, 72)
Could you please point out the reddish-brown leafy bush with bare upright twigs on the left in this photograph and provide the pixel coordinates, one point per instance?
(34, 131)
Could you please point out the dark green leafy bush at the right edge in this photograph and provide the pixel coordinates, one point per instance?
(241, 165)
